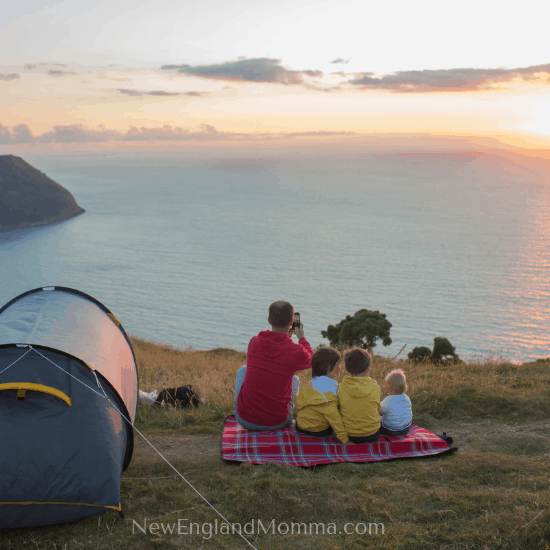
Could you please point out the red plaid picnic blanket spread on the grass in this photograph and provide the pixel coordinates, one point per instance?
(292, 448)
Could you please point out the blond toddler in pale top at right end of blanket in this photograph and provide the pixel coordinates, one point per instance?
(395, 409)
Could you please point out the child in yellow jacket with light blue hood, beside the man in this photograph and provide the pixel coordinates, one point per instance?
(317, 403)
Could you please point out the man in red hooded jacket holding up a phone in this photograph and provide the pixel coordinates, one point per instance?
(266, 387)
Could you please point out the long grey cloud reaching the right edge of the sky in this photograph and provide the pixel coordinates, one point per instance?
(449, 80)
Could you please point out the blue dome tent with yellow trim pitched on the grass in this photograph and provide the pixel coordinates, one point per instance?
(66, 370)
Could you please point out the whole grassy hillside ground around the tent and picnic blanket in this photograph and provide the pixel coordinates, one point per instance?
(493, 493)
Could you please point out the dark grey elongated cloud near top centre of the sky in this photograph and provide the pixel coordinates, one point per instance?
(247, 70)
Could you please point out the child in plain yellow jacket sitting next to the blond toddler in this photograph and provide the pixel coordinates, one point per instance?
(359, 399)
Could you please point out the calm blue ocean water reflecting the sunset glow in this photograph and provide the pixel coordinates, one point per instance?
(191, 250)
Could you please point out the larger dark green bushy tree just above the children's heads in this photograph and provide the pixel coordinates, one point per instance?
(361, 330)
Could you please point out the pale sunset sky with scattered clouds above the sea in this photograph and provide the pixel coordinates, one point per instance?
(121, 74)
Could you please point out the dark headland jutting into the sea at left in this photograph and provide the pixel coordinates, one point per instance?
(29, 198)
